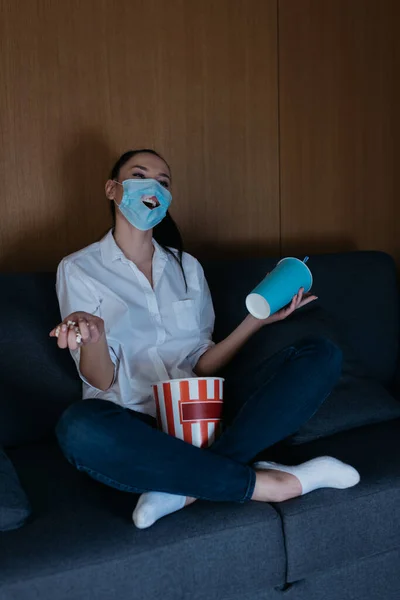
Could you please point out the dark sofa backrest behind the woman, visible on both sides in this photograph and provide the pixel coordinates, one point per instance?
(38, 381)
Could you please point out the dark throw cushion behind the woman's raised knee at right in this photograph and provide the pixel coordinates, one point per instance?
(356, 401)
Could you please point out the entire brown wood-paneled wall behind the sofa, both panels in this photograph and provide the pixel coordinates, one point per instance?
(84, 80)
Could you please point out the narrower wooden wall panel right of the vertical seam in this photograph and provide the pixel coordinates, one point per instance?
(339, 124)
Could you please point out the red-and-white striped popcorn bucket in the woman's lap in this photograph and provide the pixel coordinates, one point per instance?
(190, 409)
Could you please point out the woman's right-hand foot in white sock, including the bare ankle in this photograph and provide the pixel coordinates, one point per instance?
(320, 472)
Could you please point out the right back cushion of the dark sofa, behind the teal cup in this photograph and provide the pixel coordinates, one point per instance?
(342, 282)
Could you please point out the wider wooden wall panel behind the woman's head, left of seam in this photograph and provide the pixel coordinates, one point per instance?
(84, 80)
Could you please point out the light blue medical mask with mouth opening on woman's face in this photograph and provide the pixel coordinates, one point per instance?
(138, 191)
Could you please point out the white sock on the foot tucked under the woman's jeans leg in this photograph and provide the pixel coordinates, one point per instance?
(152, 506)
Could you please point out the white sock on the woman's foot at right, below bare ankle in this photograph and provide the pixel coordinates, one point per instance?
(324, 471)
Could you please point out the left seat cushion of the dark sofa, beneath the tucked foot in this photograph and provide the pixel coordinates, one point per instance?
(82, 532)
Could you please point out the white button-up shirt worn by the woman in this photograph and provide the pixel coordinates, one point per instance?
(153, 334)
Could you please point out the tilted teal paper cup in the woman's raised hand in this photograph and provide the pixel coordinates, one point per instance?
(277, 289)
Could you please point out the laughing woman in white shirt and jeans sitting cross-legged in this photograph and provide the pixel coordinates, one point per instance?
(143, 312)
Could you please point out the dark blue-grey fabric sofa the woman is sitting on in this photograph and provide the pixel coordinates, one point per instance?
(335, 545)
